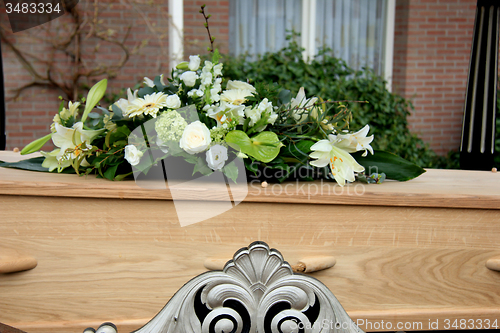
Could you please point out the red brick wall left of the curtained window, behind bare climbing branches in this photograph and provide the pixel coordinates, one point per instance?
(30, 115)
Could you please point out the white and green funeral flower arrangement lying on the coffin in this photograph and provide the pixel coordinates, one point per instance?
(197, 116)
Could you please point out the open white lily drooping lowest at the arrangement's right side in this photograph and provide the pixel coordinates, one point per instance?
(341, 163)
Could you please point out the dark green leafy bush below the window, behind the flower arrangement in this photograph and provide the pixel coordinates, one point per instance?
(330, 78)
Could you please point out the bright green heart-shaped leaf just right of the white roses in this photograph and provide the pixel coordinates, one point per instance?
(264, 146)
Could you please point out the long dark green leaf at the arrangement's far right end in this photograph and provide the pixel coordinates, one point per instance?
(393, 166)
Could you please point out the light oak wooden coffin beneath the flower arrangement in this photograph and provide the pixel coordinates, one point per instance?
(409, 255)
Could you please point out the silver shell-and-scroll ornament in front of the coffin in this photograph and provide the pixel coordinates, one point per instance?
(255, 292)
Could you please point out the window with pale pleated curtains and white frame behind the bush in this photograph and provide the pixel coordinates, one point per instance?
(359, 31)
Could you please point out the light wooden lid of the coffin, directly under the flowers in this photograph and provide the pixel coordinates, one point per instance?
(435, 188)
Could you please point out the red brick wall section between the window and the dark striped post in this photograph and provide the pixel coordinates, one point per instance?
(431, 59)
